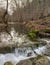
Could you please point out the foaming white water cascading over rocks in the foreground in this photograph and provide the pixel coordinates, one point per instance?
(19, 55)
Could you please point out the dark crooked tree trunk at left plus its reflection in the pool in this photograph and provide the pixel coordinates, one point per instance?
(5, 18)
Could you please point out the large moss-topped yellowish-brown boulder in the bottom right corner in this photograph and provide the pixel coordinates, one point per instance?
(40, 60)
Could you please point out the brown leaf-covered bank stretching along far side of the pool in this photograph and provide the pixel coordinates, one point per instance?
(35, 24)
